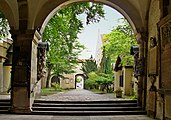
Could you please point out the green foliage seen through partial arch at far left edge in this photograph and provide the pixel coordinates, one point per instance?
(4, 26)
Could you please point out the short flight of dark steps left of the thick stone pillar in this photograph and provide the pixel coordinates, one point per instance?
(5, 106)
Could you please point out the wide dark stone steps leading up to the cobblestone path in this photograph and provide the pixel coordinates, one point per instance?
(117, 107)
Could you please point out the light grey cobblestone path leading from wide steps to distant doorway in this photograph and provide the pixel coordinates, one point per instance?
(78, 95)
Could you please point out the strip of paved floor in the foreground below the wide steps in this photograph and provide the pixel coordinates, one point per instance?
(50, 117)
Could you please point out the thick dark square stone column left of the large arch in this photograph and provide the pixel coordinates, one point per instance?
(21, 71)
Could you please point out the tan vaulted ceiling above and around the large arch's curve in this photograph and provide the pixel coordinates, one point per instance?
(36, 13)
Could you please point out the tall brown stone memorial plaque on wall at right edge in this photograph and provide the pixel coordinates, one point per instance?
(165, 33)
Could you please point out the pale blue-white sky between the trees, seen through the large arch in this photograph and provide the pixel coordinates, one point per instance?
(89, 36)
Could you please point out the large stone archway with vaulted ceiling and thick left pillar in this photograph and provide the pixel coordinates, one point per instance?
(27, 24)
